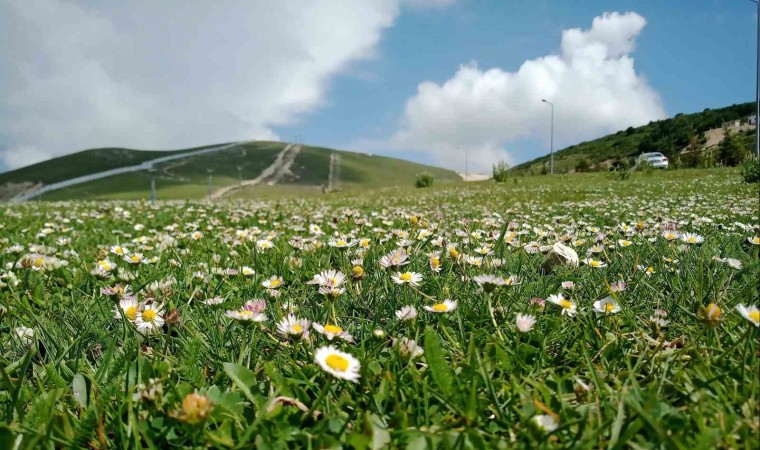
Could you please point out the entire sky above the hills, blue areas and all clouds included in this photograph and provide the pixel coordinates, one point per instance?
(414, 79)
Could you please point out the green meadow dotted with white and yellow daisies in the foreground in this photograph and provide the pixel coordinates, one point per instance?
(545, 312)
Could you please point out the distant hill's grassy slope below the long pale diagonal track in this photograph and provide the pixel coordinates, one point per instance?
(188, 178)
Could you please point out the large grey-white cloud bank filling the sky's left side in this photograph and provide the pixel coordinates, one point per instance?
(170, 74)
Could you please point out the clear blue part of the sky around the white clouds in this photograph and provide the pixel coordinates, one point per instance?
(696, 54)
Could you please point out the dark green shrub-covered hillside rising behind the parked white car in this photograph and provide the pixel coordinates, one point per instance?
(669, 136)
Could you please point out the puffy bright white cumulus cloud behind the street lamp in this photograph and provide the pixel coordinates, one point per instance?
(592, 83)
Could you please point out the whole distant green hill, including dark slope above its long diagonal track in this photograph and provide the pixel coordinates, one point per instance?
(187, 178)
